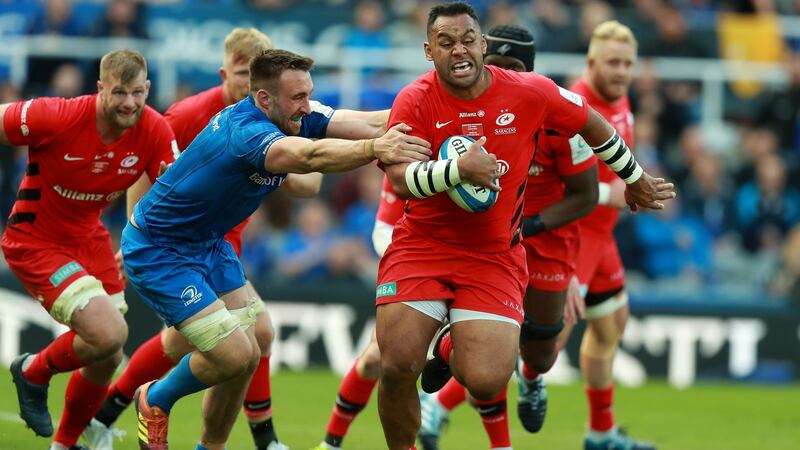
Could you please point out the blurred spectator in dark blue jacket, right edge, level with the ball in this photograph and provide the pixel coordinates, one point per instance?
(766, 208)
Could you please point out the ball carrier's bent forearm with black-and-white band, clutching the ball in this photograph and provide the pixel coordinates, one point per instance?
(424, 179)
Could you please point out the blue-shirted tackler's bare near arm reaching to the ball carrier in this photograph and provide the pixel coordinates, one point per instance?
(300, 155)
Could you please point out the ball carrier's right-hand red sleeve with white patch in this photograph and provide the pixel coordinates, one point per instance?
(567, 111)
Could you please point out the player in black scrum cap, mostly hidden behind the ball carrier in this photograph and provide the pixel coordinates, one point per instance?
(561, 187)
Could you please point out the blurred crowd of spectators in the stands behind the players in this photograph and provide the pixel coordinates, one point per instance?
(737, 217)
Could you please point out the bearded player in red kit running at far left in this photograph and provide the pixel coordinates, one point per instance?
(83, 154)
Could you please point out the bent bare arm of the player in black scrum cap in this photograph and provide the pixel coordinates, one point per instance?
(579, 199)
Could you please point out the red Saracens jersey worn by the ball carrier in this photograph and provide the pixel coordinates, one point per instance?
(509, 113)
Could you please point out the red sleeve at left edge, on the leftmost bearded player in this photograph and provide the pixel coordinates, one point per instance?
(34, 122)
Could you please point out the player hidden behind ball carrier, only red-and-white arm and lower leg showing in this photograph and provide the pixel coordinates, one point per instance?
(358, 383)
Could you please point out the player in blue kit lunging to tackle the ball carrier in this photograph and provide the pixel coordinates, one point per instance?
(173, 248)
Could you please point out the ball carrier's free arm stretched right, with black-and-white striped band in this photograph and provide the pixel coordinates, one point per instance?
(643, 190)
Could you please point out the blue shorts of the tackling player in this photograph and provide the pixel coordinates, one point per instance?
(177, 282)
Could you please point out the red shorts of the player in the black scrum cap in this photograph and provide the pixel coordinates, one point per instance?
(551, 258)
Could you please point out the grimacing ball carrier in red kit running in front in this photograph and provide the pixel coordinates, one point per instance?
(444, 261)
